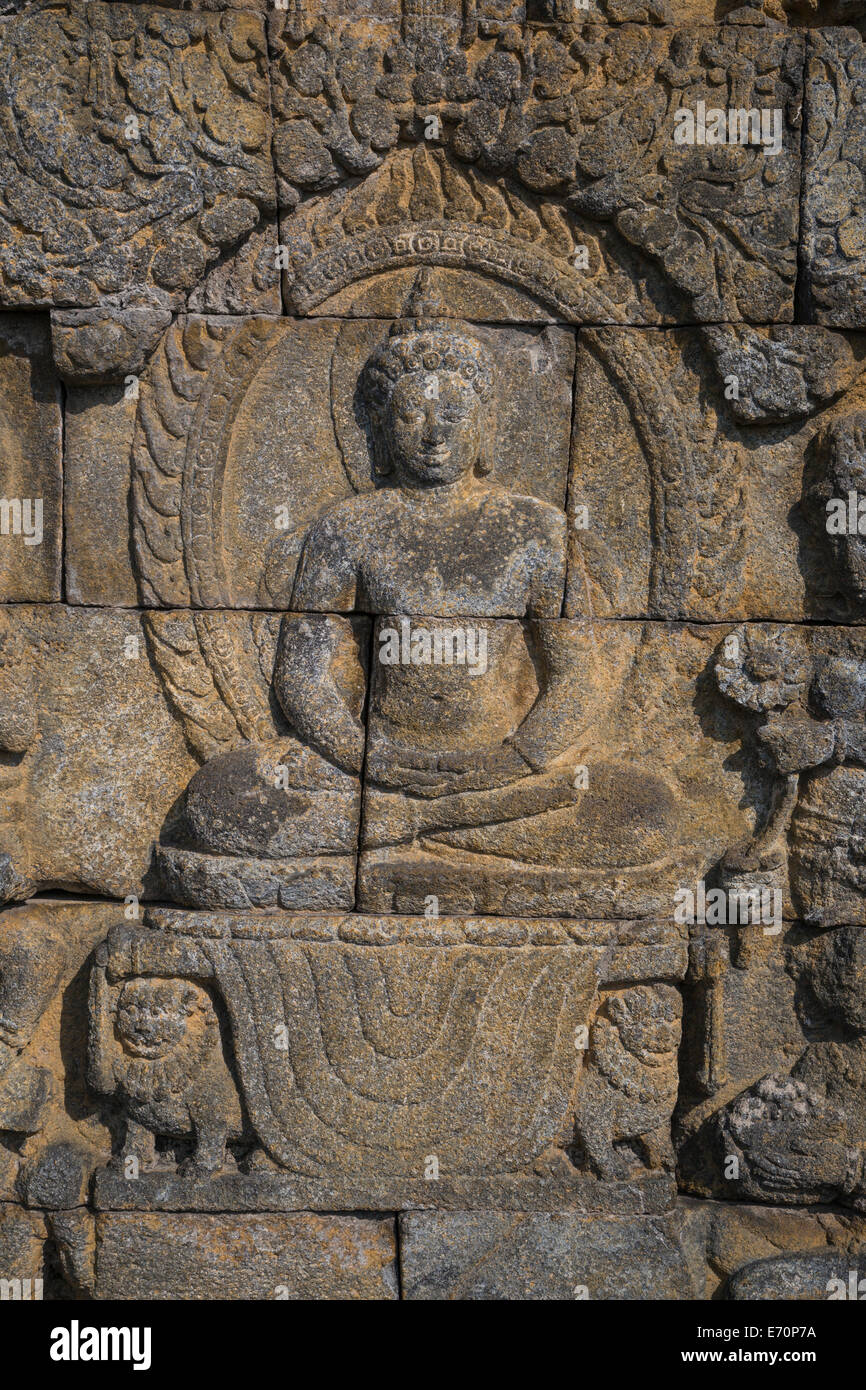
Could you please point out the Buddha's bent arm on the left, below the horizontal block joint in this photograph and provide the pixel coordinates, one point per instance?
(311, 653)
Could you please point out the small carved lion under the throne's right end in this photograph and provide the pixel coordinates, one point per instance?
(629, 1086)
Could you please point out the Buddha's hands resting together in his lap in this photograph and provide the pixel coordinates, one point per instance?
(423, 774)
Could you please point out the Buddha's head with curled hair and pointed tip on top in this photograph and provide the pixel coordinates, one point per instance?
(427, 391)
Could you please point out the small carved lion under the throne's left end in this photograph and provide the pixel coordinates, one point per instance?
(170, 1074)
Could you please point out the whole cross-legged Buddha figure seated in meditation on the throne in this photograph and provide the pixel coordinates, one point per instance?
(437, 543)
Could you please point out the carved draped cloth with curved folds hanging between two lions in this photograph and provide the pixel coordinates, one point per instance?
(391, 1056)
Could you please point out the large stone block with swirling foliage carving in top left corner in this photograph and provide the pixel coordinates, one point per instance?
(138, 152)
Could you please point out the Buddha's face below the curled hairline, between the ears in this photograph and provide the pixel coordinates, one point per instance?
(433, 429)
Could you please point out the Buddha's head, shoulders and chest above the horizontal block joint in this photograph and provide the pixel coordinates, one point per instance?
(441, 537)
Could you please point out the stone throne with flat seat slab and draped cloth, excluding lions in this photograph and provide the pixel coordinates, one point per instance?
(368, 1049)
